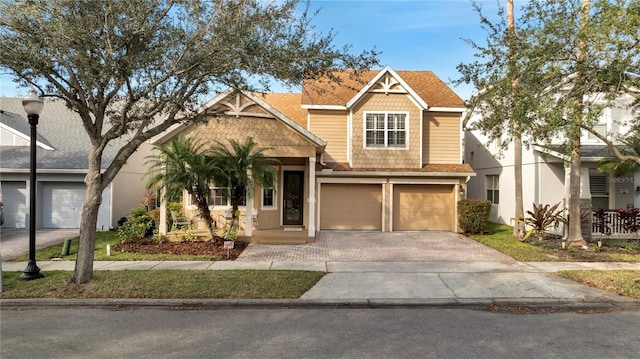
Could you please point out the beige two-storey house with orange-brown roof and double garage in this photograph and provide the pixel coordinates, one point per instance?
(382, 153)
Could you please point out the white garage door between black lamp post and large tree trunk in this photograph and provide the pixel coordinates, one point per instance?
(62, 204)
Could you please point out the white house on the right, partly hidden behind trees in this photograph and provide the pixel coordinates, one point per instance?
(545, 169)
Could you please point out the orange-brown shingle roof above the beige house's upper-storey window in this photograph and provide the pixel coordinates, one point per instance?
(424, 84)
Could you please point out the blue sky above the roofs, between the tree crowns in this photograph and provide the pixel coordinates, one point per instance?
(412, 34)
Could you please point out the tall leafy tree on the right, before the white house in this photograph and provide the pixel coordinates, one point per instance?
(569, 67)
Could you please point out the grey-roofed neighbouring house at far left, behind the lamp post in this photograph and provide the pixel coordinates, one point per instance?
(62, 157)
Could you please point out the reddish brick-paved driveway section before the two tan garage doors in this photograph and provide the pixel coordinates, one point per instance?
(349, 246)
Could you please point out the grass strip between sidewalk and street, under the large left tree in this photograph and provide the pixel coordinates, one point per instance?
(165, 284)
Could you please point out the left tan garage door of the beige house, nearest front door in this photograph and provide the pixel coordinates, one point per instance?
(351, 206)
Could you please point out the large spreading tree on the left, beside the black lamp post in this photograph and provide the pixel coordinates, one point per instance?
(133, 68)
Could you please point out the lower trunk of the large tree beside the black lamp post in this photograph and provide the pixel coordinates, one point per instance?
(93, 198)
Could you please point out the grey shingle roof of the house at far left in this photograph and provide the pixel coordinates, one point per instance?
(63, 144)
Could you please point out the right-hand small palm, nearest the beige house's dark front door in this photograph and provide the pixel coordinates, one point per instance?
(242, 164)
